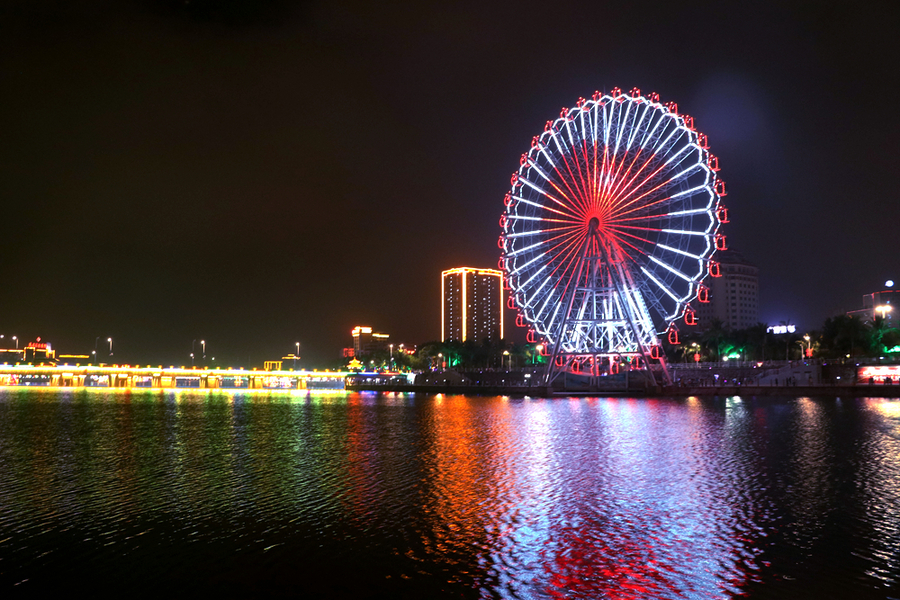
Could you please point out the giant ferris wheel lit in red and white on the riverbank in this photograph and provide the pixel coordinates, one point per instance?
(609, 230)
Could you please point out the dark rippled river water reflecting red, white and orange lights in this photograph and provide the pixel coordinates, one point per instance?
(355, 495)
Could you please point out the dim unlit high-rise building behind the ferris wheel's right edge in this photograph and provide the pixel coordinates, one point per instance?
(733, 297)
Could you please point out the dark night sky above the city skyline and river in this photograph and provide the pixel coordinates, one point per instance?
(260, 173)
